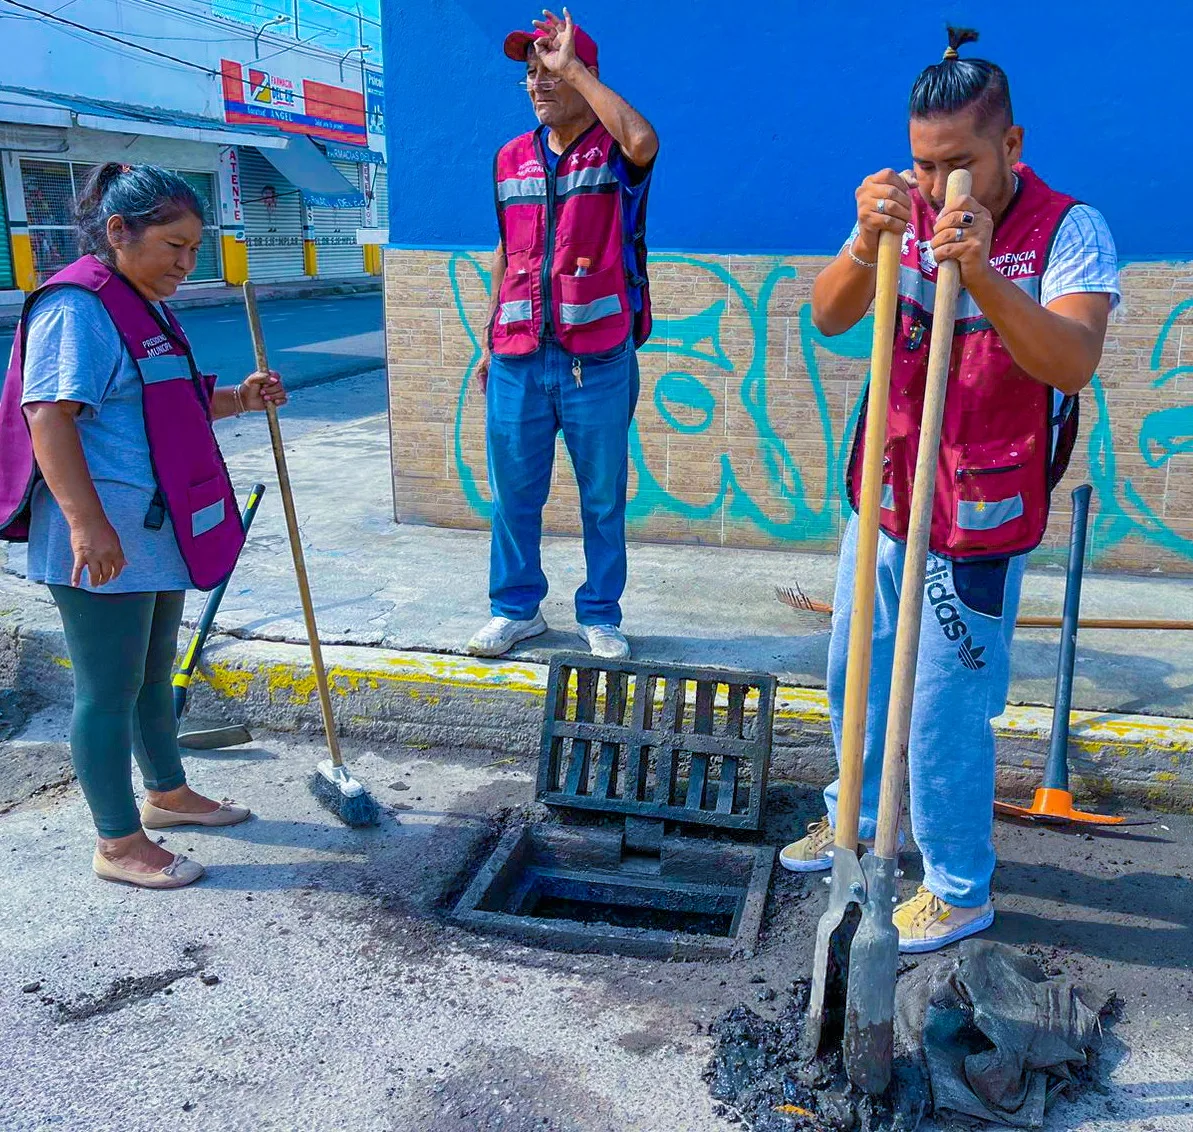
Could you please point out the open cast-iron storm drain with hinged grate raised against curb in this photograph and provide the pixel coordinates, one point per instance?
(654, 745)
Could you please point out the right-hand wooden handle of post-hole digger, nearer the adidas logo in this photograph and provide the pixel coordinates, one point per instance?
(911, 605)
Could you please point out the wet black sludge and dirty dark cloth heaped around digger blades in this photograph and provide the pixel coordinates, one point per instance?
(981, 1032)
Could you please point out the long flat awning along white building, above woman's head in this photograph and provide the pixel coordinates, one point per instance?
(46, 108)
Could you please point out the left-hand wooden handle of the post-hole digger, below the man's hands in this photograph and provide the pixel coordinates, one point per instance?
(862, 617)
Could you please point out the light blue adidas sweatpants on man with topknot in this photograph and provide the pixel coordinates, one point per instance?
(961, 685)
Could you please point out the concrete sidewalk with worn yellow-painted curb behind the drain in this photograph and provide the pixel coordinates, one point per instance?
(398, 604)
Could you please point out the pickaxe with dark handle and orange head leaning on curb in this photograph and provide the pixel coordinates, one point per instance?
(1053, 805)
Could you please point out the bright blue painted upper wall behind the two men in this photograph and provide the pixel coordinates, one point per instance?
(771, 115)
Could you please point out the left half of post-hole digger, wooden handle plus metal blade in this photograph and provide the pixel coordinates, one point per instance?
(846, 884)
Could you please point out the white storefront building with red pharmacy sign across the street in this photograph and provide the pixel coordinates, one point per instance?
(281, 137)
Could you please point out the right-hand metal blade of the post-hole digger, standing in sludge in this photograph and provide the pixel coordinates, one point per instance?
(869, 1042)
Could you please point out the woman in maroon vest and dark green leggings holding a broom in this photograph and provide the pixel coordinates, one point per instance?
(102, 512)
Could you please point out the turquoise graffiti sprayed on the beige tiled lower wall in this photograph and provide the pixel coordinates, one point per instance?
(716, 367)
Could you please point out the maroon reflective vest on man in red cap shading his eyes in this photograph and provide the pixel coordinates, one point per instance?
(549, 221)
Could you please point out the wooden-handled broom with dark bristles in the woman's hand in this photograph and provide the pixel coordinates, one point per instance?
(331, 784)
